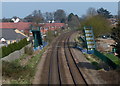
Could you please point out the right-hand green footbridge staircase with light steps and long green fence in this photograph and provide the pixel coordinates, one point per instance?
(91, 47)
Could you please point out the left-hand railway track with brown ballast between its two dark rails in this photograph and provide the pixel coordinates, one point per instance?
(54, 67)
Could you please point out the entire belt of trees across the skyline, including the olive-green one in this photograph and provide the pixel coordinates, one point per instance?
(98, 19)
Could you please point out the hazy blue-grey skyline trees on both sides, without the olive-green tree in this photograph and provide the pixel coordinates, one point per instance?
(60, 16)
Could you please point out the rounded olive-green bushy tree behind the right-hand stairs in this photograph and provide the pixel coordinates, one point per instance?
(99, 24)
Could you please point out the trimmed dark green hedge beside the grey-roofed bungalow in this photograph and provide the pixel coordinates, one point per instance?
(6, 50)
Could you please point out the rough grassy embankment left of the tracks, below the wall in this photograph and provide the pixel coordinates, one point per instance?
(15, 73)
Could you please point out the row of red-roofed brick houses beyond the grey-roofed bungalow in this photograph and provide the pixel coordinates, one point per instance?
(25, 27)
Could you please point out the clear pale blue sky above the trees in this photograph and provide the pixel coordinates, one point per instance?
(22, 9)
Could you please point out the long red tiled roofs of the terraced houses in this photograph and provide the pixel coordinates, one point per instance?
(26, 25)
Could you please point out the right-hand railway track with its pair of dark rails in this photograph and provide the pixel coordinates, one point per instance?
(68, 56)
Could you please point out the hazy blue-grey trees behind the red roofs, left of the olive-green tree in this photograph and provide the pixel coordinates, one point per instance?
(59, 16)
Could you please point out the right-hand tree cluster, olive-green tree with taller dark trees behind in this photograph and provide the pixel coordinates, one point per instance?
(98, 19)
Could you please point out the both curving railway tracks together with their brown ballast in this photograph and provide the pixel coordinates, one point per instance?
(54, 72)
